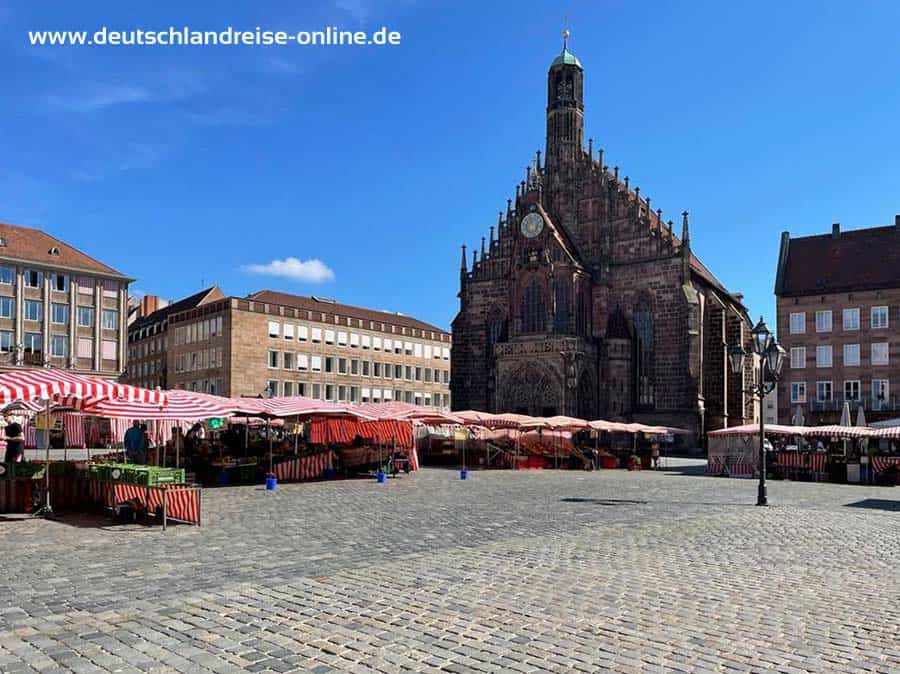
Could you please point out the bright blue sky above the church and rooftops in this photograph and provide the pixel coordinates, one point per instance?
(192, 164)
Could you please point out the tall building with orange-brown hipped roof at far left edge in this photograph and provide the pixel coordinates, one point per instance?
(58, 306)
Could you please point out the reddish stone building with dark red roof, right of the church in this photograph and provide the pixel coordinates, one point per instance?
(838, 306)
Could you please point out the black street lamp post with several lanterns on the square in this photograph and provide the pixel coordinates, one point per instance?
(771, 359)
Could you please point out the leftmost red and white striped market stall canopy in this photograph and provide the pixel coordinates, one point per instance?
(28, 385)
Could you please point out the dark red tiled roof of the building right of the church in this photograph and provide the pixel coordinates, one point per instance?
(859, 259)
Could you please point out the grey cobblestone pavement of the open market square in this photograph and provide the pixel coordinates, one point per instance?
(506, 572)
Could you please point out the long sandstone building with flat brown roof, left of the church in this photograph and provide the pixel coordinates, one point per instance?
(276, 344)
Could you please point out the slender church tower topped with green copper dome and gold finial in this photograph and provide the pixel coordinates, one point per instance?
(565, 108)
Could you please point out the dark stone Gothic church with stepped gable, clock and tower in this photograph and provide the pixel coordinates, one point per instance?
(583, 301)
